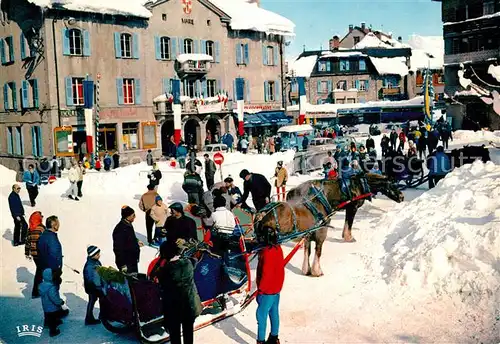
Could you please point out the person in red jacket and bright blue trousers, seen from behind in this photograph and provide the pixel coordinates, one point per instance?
(270, 278)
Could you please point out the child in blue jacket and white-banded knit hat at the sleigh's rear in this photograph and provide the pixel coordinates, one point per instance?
(92, 282)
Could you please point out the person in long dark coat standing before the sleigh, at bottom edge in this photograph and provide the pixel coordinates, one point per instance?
(181, 302)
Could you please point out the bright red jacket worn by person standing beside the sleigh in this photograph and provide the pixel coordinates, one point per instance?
(270, 270)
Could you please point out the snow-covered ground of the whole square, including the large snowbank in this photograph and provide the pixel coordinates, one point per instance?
(426, 270)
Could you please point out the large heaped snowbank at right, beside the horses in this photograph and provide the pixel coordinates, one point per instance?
(447, 241)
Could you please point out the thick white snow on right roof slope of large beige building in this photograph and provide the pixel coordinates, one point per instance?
(249, 16)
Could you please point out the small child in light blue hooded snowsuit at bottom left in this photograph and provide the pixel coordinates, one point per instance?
(51, 303)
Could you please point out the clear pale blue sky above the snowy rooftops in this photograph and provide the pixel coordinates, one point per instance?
(317, 21)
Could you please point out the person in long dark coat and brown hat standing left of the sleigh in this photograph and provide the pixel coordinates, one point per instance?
(126, 246)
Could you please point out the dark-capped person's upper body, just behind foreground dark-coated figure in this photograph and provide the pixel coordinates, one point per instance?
(178, 225)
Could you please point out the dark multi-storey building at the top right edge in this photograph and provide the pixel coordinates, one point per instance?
(472, 44)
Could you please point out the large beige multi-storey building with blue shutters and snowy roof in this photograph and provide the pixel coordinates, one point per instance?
(131, 52)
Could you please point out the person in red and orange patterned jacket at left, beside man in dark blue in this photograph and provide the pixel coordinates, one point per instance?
(31, 249)
